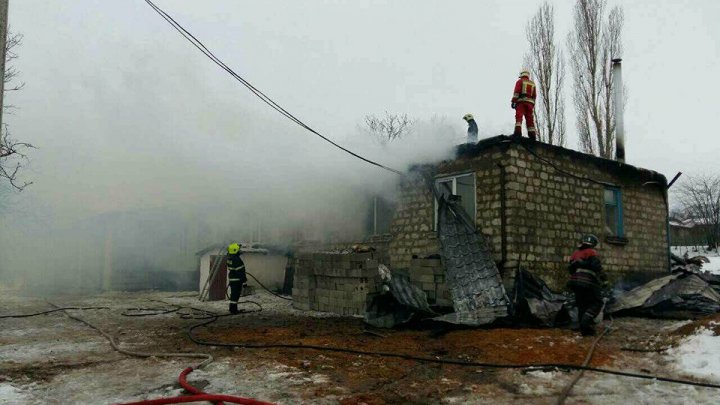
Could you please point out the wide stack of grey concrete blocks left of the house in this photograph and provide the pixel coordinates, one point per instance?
(334, 282)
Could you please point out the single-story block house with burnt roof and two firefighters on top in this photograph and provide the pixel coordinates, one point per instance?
(533, 201)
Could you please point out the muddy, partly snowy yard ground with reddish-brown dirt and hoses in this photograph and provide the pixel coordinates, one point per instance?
(56, 360)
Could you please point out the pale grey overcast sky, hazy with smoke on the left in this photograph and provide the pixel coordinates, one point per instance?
(127, 114)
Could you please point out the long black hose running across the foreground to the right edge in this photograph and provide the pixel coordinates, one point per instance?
(532, 367)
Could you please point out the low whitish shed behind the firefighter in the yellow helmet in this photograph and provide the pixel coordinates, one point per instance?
(267, 265)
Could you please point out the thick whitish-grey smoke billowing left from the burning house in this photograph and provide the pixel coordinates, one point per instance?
(144, 173)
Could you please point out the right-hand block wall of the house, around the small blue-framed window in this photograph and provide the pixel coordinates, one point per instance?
(548, 211)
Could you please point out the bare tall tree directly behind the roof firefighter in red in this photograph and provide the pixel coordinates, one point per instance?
(547, 65)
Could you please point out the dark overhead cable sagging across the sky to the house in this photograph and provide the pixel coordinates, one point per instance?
(262, 96)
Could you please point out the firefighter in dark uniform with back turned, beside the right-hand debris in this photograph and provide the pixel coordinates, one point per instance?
(586, 279)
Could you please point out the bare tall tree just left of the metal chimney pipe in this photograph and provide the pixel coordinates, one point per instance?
(593, 42)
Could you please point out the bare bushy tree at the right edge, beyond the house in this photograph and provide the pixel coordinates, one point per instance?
(699, 197)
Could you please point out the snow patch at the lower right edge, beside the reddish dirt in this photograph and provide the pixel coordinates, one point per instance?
(698, 355)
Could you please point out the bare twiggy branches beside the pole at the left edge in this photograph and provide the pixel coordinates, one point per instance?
(13, 153)
